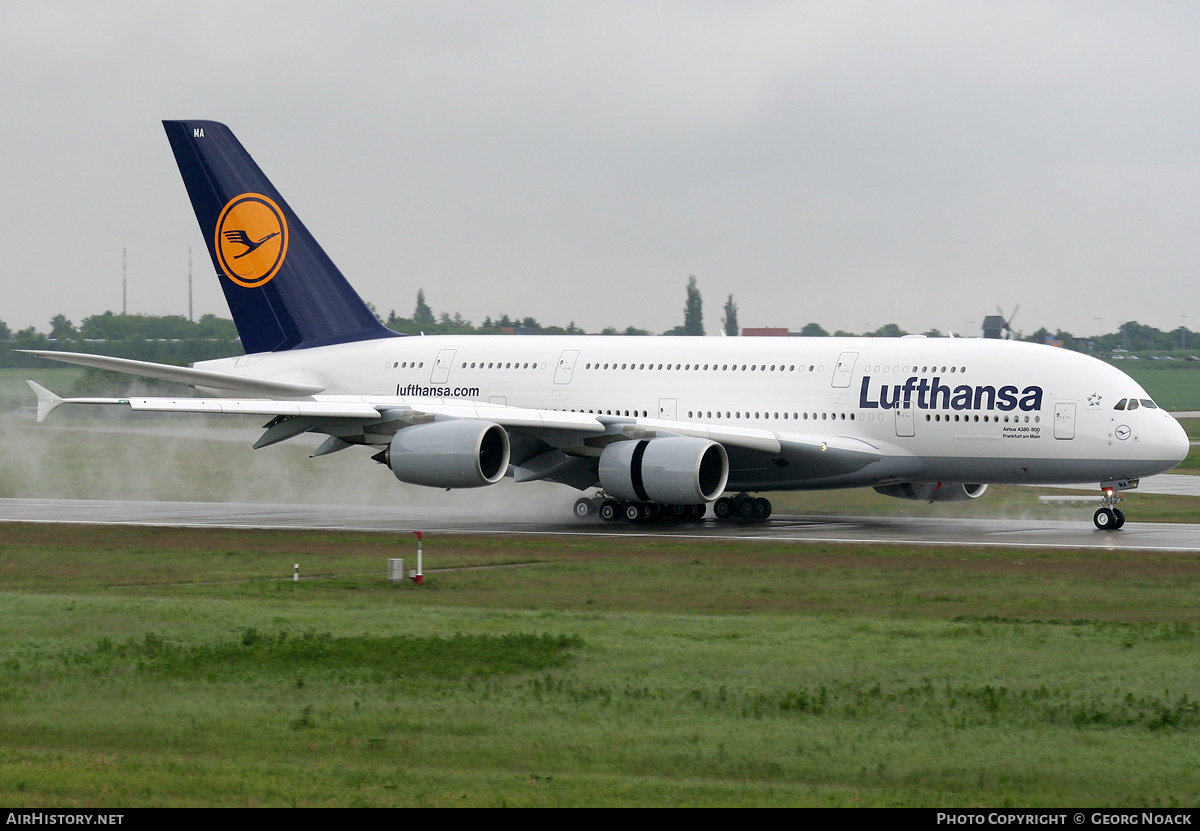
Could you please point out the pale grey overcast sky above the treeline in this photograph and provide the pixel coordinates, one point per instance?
(851, 164)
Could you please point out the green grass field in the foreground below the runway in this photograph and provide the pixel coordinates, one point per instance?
(149, 667)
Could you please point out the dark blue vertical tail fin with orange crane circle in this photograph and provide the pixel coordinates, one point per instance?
(283, 289)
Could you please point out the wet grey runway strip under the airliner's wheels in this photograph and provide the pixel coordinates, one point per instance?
(1015, 534)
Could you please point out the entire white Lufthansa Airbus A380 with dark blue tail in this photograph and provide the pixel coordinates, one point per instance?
(662, 426)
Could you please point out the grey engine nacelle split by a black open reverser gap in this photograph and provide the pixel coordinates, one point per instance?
(676, 470)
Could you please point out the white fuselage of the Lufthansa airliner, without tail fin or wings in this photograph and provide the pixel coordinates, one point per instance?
(958, 410)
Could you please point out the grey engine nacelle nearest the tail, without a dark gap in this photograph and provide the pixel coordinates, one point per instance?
(449, 455)
